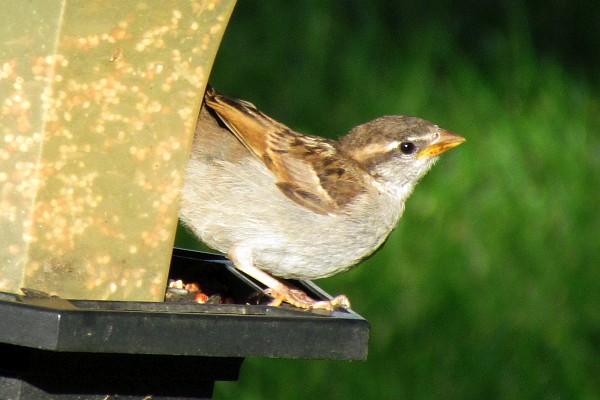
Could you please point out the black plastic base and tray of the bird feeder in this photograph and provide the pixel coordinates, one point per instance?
(53, 348)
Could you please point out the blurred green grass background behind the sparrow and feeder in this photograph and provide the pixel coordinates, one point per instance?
(490, 286)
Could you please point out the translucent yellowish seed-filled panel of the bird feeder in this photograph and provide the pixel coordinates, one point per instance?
(98, 103)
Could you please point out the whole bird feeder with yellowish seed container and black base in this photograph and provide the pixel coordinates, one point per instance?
(98, 105)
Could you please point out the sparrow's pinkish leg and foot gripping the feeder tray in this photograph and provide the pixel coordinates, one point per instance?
(242, 259)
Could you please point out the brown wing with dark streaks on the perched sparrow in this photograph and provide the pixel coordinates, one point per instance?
(309, 170)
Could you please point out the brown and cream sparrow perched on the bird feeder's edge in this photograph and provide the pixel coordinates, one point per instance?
(283, 204)
